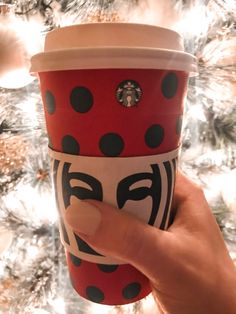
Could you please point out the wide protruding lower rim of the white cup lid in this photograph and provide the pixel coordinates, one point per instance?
(114, 58)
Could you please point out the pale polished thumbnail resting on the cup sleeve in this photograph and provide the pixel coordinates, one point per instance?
(83, 218)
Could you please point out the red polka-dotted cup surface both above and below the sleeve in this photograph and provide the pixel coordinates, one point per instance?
(85, 117)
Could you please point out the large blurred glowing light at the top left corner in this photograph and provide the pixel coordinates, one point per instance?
(19, 40)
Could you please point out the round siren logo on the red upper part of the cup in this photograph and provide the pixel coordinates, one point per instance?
(128, 93)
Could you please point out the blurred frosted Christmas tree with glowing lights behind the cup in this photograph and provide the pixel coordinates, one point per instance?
(33, 273)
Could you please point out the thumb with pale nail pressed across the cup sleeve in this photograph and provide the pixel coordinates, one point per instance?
(118, 234)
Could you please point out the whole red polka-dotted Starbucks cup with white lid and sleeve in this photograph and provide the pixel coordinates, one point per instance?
(113, 96)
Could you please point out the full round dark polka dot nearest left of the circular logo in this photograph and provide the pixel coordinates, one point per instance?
(81, 99)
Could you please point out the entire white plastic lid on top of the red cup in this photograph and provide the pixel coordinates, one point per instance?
(113, 45)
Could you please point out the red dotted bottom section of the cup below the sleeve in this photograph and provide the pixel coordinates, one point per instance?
(108, 287)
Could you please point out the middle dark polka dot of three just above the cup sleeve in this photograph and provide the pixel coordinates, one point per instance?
(111, 144)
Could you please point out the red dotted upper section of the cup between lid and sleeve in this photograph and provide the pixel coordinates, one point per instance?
(84, 92)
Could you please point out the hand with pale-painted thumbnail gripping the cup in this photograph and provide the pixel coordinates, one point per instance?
(188, 265)
